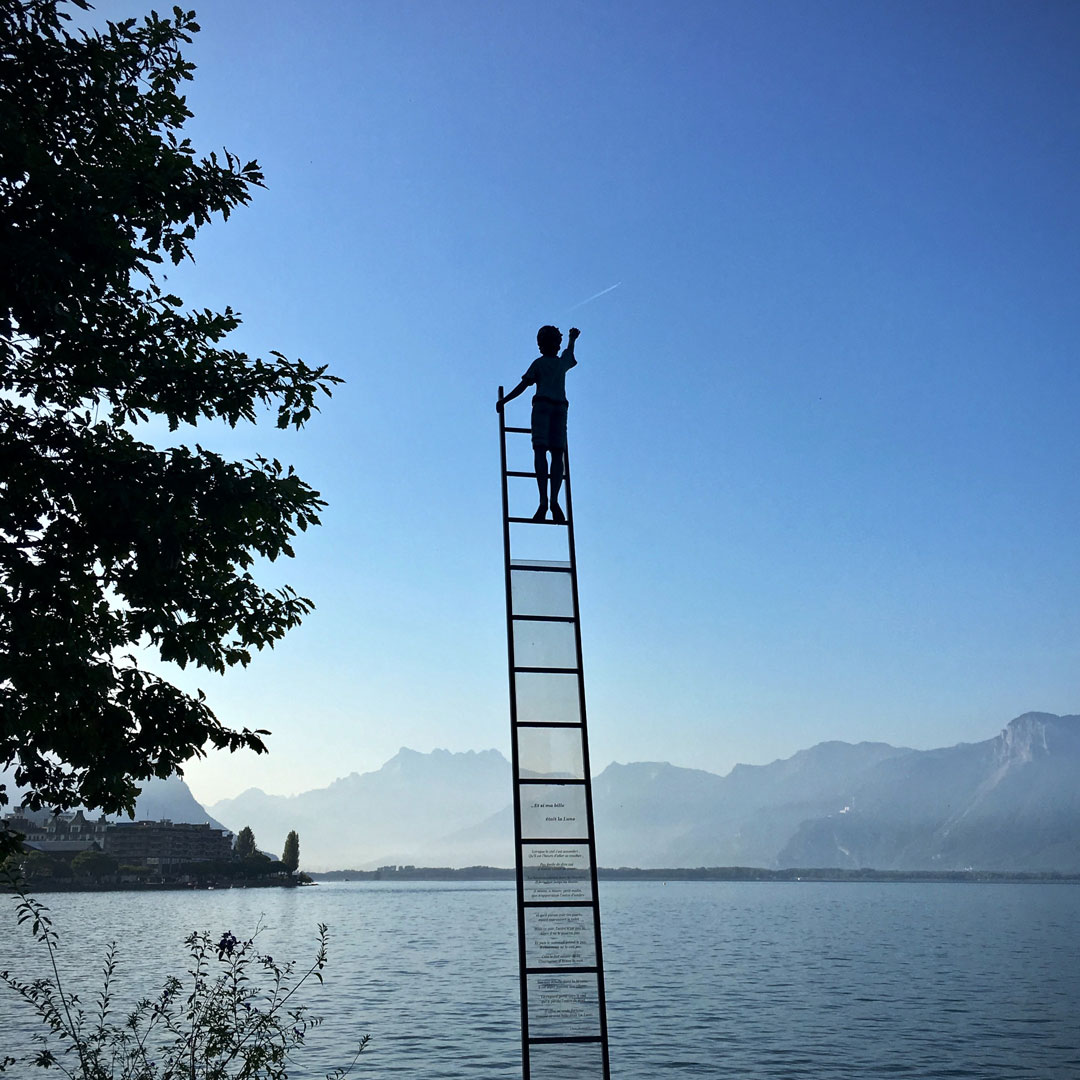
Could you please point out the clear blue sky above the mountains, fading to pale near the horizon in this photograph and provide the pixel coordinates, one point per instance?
(825, 434)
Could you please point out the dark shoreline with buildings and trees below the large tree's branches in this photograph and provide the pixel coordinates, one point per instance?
(73, 852)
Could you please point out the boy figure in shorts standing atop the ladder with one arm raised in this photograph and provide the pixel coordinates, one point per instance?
(548, 374)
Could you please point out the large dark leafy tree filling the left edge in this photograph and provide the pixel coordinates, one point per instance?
(109, 544)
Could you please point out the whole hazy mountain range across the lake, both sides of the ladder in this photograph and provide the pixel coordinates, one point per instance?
(1011, 803)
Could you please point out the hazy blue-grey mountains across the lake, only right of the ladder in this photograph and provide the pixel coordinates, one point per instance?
(1010, 803)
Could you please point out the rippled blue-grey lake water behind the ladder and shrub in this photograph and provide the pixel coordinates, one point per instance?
(705, 979)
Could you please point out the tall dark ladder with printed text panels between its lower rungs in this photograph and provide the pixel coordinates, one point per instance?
(564, 1016)
